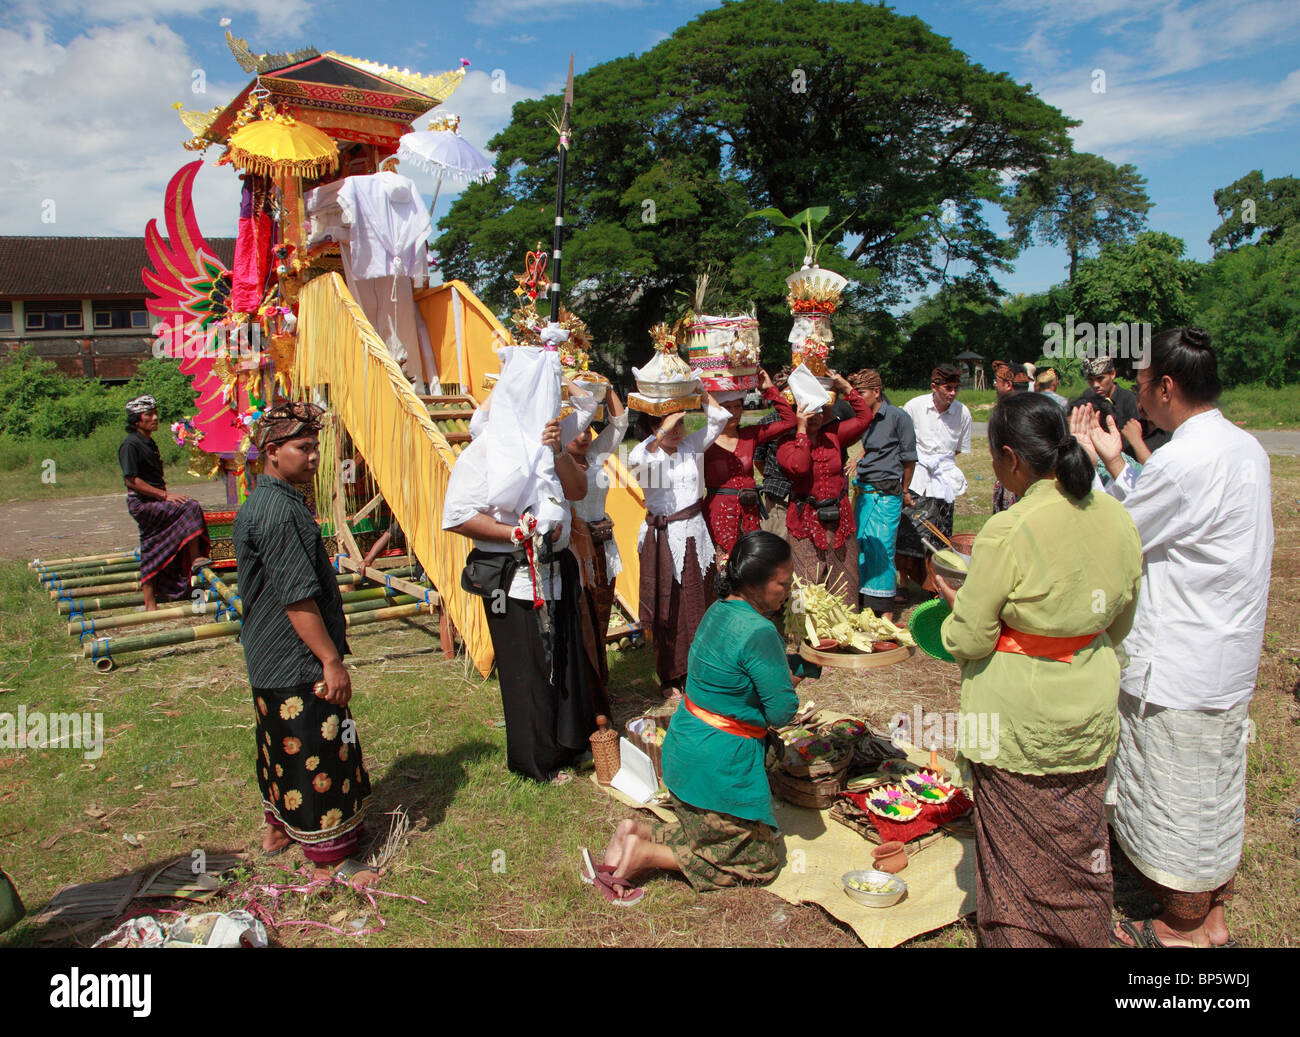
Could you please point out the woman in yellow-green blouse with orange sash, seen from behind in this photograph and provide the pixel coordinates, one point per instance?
(1052, 589)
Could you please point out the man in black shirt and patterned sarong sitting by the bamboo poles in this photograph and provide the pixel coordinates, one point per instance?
(174, 533)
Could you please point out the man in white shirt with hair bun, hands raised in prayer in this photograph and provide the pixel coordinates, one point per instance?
(1203, 507)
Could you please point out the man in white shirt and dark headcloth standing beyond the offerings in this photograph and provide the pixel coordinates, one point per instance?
(943, 429)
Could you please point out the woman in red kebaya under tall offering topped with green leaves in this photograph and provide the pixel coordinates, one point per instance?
(821, 526)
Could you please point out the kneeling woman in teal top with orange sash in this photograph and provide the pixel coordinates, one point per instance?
(738, 685)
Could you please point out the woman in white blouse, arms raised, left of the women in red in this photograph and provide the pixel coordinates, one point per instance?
(678, 567)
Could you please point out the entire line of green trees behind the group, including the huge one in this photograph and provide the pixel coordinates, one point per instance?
(788, 105)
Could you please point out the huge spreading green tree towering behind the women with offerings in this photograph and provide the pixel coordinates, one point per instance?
(751, 106)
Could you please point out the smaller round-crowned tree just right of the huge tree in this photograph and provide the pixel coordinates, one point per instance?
(1080, 201)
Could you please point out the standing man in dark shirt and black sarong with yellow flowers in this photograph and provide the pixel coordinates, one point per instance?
(314, 784)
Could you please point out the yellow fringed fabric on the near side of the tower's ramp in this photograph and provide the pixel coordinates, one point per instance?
(408, 457)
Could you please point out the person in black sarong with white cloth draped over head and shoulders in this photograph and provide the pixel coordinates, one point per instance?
(509, 493)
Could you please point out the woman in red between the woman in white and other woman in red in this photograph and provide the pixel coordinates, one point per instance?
(733, 504)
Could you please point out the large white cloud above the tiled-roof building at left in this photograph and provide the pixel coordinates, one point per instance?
(98, 134)
